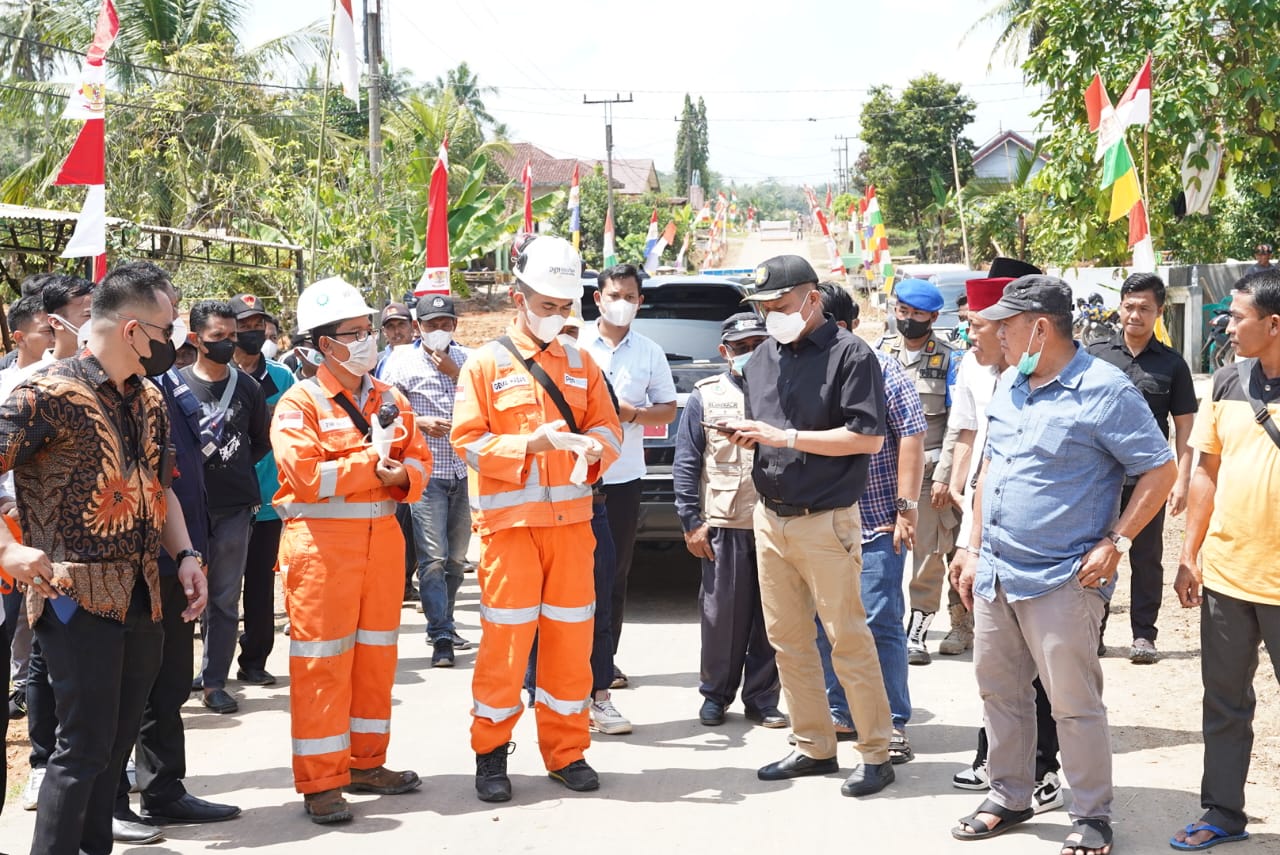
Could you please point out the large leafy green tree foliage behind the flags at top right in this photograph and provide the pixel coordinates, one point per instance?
(1215, 66)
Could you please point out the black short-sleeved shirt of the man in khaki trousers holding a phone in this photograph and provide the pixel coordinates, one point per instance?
(828, 380)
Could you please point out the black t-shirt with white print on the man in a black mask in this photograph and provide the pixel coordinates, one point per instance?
(234, 441)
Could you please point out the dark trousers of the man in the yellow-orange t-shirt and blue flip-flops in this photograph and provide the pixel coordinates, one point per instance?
(1231, 633)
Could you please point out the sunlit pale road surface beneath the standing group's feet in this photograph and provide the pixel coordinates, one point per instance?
(674, 785)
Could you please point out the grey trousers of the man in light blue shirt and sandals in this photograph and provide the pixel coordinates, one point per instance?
(1057, 637)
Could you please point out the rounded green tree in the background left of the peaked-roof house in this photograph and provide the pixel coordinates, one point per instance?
(908, 140)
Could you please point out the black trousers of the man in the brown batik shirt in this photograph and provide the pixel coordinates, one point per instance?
(102, 674)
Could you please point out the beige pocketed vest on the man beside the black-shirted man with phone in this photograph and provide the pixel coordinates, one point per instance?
(728, 492)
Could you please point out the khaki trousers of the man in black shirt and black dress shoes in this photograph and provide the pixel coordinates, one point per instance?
(812, 564)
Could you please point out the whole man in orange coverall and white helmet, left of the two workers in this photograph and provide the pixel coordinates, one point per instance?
(342, 554)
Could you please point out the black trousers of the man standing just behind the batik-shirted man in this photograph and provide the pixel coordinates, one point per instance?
(162, 744)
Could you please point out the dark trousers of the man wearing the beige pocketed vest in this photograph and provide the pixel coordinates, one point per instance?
(737, 652)
